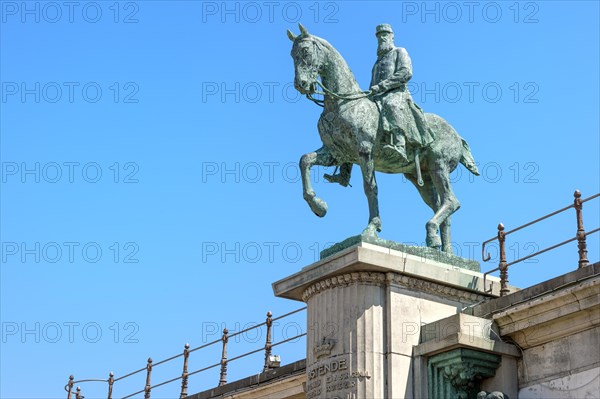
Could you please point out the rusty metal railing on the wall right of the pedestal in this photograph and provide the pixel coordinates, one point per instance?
(501, 237)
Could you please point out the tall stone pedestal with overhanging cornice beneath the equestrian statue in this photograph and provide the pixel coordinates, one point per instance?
(367, 307)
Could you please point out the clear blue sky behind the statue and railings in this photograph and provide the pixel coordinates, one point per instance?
(149, 183)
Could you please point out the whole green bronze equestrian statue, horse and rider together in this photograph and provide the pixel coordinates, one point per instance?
(399, 139)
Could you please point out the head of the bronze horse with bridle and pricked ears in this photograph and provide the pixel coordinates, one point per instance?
(307, 60)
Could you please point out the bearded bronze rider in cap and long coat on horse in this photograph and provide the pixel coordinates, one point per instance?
(401, 118)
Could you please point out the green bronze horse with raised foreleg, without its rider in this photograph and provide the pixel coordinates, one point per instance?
(349, 130)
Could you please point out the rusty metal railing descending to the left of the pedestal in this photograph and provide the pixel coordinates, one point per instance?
(185, 374)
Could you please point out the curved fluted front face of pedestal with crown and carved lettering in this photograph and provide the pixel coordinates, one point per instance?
(346, 343)
